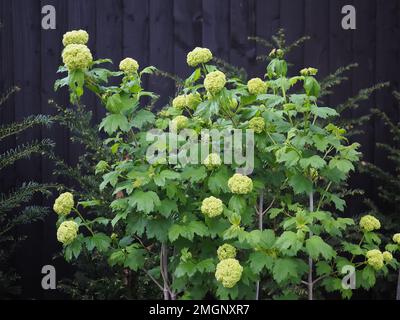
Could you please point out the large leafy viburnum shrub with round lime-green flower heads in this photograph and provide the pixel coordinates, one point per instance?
(197, 216)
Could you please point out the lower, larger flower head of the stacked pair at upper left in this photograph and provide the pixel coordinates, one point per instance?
(77, 56)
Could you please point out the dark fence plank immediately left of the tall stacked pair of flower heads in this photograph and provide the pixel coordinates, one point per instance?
(50, 59)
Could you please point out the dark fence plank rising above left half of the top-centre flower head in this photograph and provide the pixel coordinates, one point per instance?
(187, 33)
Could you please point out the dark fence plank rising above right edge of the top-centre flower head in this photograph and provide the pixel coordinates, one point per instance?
(216, 27)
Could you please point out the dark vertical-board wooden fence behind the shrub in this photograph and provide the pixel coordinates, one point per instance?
(160, 33)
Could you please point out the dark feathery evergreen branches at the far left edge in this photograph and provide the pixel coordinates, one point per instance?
(13, 209)
